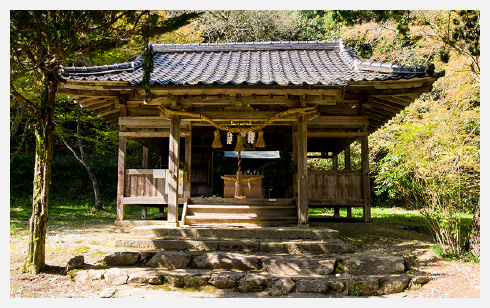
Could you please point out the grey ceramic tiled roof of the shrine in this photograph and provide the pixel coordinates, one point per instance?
(326, 63)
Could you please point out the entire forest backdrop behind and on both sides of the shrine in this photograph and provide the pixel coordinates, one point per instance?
(426, 158)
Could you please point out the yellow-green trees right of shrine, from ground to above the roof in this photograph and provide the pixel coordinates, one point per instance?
(428, 156)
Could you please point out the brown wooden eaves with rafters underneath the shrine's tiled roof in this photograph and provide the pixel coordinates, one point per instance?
(383, 99)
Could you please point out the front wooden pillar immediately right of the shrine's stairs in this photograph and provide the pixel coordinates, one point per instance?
(302, 171)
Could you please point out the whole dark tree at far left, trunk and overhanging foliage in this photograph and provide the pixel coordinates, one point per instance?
(40, 41)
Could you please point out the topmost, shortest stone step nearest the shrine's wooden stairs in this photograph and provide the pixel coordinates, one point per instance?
(162, 231)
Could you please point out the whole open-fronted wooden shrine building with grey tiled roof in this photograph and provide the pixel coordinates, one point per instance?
(320, 97)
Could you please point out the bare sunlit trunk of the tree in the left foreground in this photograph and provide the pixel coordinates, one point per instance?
(35, 260)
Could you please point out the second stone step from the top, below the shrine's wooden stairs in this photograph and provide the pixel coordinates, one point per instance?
(239, 245)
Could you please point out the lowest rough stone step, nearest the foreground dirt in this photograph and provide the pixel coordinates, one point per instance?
(239, 281)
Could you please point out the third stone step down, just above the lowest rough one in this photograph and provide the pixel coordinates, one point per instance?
(278, 264)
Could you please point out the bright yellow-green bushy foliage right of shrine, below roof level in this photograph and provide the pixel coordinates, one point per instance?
(429, 157)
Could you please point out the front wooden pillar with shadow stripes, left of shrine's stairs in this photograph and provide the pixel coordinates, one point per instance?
(173, 168)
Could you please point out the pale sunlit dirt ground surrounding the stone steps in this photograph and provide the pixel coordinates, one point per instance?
(448, 279)
